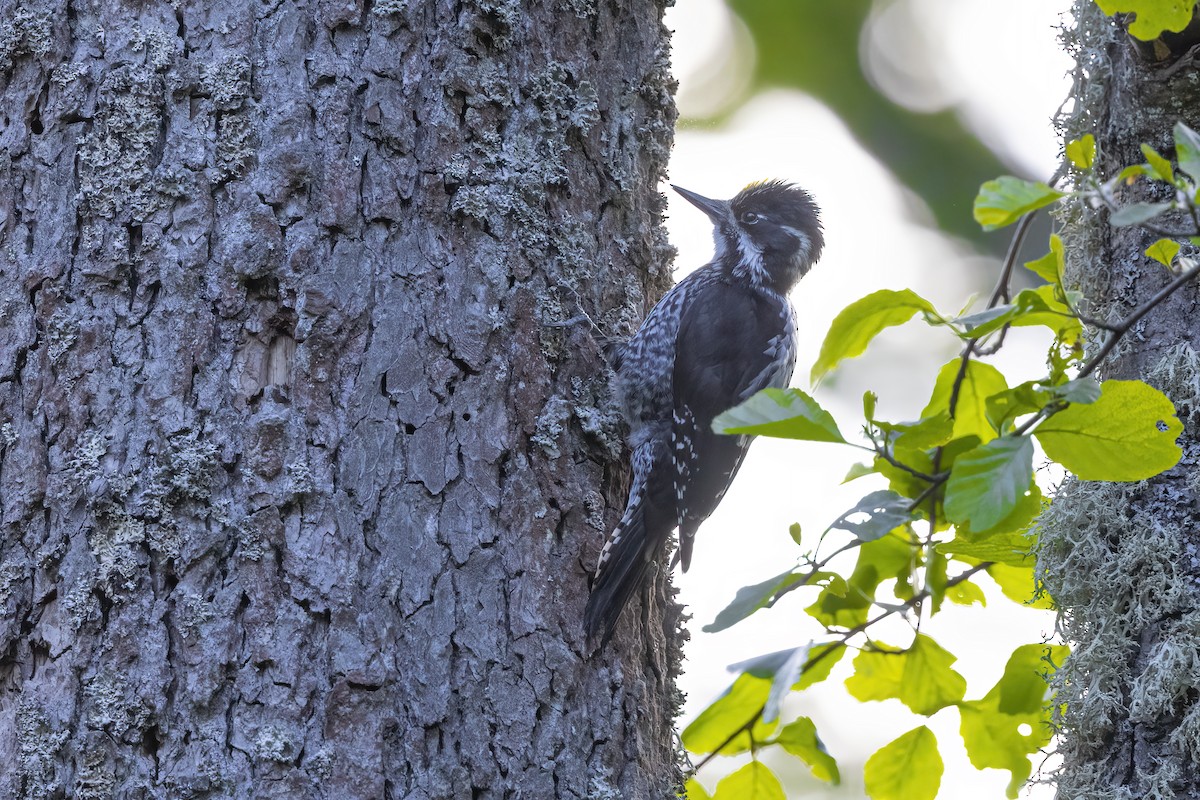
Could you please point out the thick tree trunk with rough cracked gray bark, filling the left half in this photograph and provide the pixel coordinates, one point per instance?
(299, 494)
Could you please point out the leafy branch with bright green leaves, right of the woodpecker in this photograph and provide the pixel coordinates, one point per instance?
(961, 490)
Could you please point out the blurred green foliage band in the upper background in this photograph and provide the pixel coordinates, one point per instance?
(877, 67)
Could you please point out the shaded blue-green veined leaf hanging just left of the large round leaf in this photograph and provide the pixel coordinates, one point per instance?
(987, 483)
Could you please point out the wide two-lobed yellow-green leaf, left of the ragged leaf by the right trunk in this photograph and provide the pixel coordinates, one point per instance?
(920, 677)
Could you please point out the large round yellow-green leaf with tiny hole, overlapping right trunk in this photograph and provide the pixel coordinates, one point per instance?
(1129, 435)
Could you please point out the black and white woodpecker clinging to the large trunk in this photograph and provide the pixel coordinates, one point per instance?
(719, 336)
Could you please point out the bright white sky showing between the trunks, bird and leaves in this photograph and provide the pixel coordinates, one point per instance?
(878, 237)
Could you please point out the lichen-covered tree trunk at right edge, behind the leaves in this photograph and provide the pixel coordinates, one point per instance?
(1123, 560)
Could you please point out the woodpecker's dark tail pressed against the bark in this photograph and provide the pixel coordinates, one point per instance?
(625, 563)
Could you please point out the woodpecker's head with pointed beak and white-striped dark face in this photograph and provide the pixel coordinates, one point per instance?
(770, 234)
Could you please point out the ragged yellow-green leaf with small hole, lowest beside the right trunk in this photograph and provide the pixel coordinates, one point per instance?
(1012, 721)
